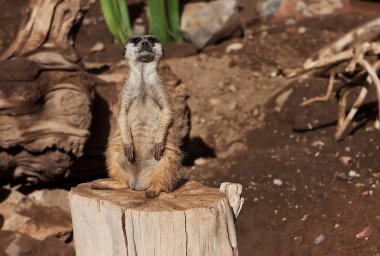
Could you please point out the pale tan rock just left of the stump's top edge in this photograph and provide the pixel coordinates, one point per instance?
(52, 197)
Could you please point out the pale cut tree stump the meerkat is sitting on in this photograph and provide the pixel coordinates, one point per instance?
(193, 220)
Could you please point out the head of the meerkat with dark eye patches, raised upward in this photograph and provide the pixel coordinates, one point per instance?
(145, 49)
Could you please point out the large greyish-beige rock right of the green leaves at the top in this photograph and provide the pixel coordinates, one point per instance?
(205, 23)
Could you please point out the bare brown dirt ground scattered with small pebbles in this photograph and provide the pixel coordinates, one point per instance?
(248, 127)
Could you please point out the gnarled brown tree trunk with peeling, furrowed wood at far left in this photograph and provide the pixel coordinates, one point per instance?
(45, 94)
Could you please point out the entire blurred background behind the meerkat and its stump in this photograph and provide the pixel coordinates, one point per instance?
(236, 71)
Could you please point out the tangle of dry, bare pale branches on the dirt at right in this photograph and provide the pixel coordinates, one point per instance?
(355, 50)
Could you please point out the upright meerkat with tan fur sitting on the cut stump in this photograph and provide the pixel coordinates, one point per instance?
(143, 151)
